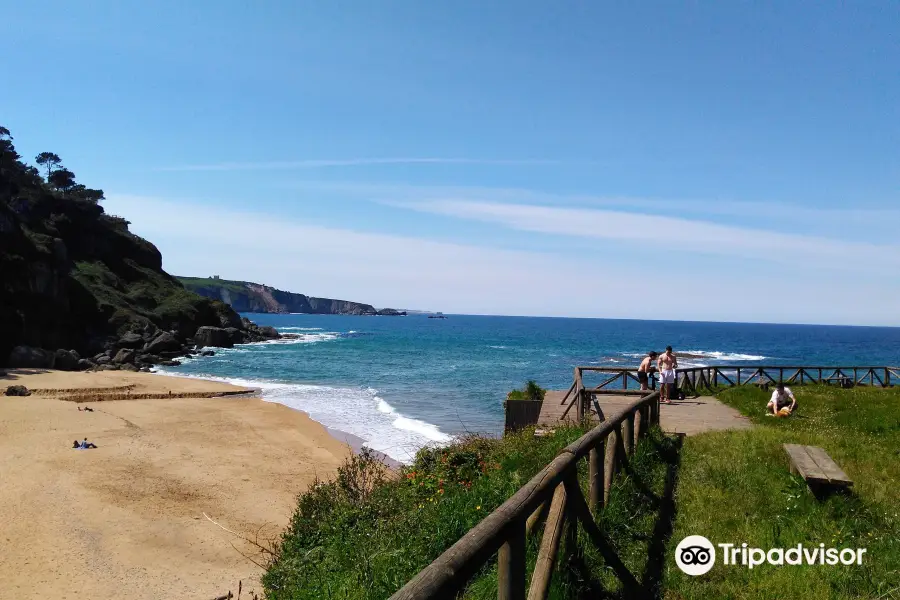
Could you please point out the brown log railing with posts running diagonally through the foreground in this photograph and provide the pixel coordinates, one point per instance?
(556, 493)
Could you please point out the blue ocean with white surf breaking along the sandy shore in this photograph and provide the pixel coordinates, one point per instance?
(399, 383)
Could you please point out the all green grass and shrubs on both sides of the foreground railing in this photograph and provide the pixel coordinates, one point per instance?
(364, 535)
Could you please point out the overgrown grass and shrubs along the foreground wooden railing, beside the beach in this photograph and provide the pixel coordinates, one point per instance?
(367, 533)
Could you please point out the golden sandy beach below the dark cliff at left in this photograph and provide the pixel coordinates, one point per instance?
(126, 520)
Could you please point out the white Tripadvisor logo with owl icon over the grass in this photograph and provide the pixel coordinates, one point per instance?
(696, 555)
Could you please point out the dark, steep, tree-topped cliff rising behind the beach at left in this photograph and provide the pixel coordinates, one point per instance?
(75, 278)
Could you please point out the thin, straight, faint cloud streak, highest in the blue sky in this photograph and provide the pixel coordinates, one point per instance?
(358, 162)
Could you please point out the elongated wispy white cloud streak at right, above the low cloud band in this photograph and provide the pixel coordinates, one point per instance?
(673, 234)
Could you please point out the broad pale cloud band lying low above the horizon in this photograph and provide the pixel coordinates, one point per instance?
(394, 270)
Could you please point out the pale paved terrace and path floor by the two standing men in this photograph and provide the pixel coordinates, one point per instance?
(690, 417)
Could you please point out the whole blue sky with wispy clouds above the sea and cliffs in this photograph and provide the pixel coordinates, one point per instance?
(727, 161)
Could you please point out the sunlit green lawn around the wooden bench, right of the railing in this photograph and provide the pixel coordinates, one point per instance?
(736, 487)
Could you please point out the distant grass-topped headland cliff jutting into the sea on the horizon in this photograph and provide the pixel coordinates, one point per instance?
(246, 296)
